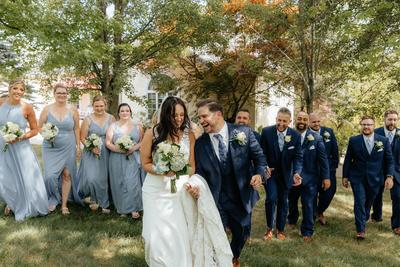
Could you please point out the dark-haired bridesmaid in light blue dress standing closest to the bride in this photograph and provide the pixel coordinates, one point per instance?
(125, 175)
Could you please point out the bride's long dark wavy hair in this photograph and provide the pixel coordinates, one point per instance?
(166, 125)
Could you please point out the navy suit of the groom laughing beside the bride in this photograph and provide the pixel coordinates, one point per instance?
(230, 182)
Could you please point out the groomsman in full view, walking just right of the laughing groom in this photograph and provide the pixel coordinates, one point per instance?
(282, 147)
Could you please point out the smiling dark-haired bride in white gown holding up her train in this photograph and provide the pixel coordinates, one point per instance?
(183, 228)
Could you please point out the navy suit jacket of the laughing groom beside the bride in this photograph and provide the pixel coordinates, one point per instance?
(242, 158)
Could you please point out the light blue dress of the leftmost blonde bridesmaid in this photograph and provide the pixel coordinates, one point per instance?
(21, 181)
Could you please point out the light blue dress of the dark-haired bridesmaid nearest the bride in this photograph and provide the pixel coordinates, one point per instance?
(125, 175)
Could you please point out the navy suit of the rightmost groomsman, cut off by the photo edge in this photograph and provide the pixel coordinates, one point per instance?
(395, 191)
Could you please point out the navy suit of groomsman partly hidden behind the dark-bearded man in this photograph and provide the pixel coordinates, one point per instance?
(332, 150)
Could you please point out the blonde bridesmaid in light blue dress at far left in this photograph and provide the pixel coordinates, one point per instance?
(21, 182)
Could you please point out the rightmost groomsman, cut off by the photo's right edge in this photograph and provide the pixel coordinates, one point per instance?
(393, 134)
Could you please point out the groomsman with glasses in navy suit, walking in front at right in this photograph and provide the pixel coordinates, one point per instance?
(368, 164)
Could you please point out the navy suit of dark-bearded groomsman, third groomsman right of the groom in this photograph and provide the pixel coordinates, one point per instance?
(315, 169)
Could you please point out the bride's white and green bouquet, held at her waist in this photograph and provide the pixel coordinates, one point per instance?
(170, 157)
